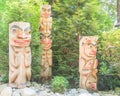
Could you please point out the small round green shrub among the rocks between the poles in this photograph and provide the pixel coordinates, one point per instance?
(59, 84)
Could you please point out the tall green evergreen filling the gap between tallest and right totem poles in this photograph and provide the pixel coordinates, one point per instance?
(71, 19)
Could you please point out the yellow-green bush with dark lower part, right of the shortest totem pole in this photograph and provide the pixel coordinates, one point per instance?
(109, 61)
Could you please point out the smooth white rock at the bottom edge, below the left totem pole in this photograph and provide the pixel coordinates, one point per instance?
(28, 92)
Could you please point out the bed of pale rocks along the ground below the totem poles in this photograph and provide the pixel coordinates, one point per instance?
(45, 90)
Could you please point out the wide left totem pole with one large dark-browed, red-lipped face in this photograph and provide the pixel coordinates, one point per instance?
(19, 54)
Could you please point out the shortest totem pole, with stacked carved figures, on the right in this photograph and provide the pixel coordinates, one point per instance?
(88, 62)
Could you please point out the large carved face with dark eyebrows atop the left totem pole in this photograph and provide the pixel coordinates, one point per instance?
(19, 34)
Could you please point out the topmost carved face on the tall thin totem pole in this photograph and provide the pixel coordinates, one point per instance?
(46, 11)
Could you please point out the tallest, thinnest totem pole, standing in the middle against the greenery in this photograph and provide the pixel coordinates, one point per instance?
(45, 31)
